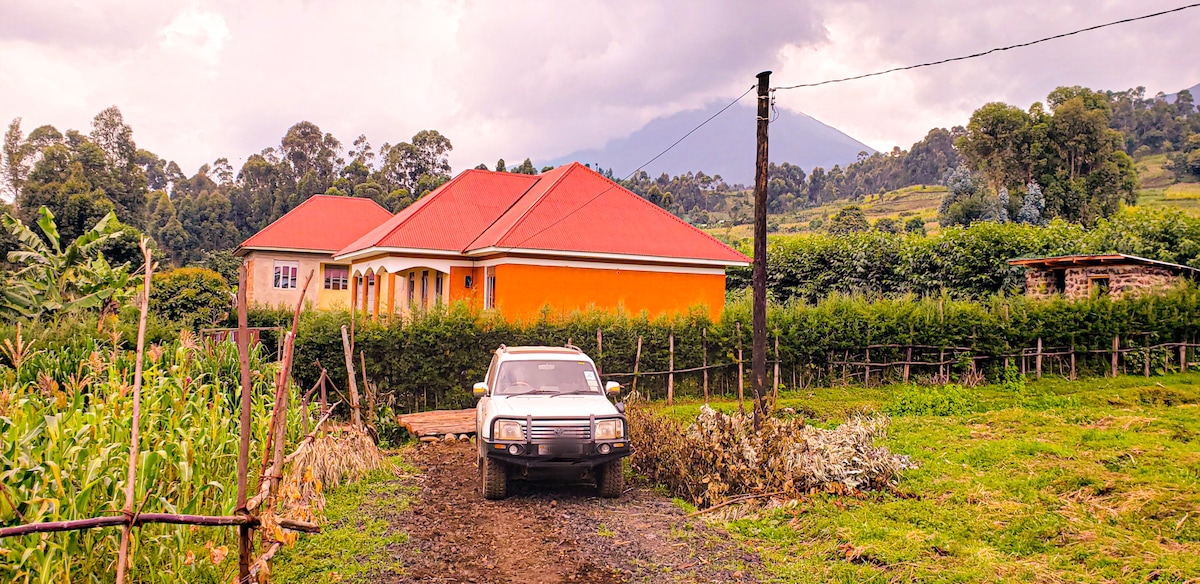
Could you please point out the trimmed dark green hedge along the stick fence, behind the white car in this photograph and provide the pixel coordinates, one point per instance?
(433, 362)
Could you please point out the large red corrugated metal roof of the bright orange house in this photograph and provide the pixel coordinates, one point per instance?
(571, 209)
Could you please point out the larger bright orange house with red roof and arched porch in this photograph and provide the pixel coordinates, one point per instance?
(568, 239)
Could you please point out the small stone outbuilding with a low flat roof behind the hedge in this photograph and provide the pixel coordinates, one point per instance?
(1114, 275)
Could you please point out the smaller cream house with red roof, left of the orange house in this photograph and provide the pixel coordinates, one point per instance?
(303, 242)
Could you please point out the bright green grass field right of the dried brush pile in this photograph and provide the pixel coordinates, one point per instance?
(1052, 481)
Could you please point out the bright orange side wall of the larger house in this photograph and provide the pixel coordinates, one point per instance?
(523, 291)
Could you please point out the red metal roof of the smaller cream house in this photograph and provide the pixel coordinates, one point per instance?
(321, 224)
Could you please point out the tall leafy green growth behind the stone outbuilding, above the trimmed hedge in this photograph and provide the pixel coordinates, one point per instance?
(970, 262)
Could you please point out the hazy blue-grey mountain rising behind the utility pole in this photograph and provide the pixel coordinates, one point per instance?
(724, 147)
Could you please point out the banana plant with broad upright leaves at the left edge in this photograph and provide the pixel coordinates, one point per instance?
(56, 279)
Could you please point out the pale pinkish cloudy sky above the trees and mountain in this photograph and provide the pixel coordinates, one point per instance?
(200, 80)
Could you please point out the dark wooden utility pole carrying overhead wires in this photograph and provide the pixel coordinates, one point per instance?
(759, 278)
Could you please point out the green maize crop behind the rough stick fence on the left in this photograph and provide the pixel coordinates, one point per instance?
(65, 425)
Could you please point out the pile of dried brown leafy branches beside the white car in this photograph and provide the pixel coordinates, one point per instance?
(721, 456)
